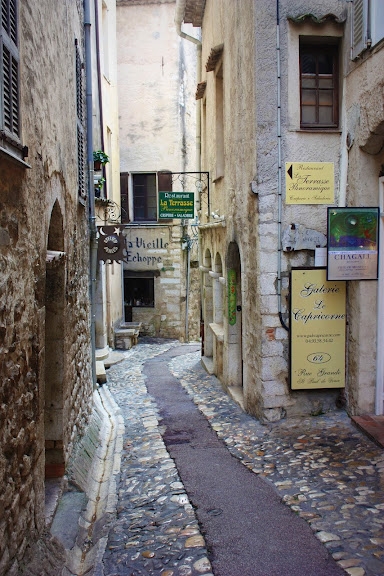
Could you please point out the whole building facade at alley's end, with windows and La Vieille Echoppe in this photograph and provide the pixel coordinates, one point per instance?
(156, 84)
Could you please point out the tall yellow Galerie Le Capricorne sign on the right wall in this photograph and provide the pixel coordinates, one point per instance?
(317, 330)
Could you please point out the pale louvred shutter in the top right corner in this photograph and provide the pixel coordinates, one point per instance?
(367, 25)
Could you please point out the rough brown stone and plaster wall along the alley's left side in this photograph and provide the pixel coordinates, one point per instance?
(27, 198)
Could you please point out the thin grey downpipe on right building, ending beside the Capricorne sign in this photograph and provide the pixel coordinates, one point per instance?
(279, 168)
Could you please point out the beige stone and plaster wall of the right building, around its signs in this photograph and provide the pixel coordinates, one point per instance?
(250, 81)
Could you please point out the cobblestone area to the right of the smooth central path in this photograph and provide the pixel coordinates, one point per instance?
(324, 469)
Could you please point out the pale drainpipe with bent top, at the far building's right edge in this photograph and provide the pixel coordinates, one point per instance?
(179, 17)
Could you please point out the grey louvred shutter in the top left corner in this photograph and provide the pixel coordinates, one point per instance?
(10, 120)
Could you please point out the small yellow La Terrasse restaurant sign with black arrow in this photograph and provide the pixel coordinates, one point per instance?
(309, 183)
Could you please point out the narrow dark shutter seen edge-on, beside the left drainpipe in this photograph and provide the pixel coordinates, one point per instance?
(80, 119)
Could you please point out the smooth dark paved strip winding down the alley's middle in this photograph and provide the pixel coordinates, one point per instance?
(248, 530)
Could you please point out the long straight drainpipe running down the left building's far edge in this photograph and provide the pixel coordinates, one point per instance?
(91, 190)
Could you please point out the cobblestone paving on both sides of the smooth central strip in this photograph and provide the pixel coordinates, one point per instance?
(324, 469)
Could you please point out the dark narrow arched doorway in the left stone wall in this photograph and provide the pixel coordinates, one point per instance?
(54, 347)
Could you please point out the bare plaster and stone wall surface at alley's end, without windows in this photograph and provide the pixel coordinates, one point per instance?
(157, 82)
